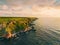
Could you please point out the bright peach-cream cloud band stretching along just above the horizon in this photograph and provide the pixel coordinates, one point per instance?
(35, 11)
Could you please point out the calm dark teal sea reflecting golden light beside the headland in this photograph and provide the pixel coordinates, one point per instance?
(47, 33)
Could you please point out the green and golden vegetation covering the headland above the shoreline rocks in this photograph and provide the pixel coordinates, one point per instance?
(11, 25)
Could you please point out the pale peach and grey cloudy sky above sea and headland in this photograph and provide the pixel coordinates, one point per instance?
(30, 8)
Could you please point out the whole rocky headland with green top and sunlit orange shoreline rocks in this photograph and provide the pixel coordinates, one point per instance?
(12, 26)
